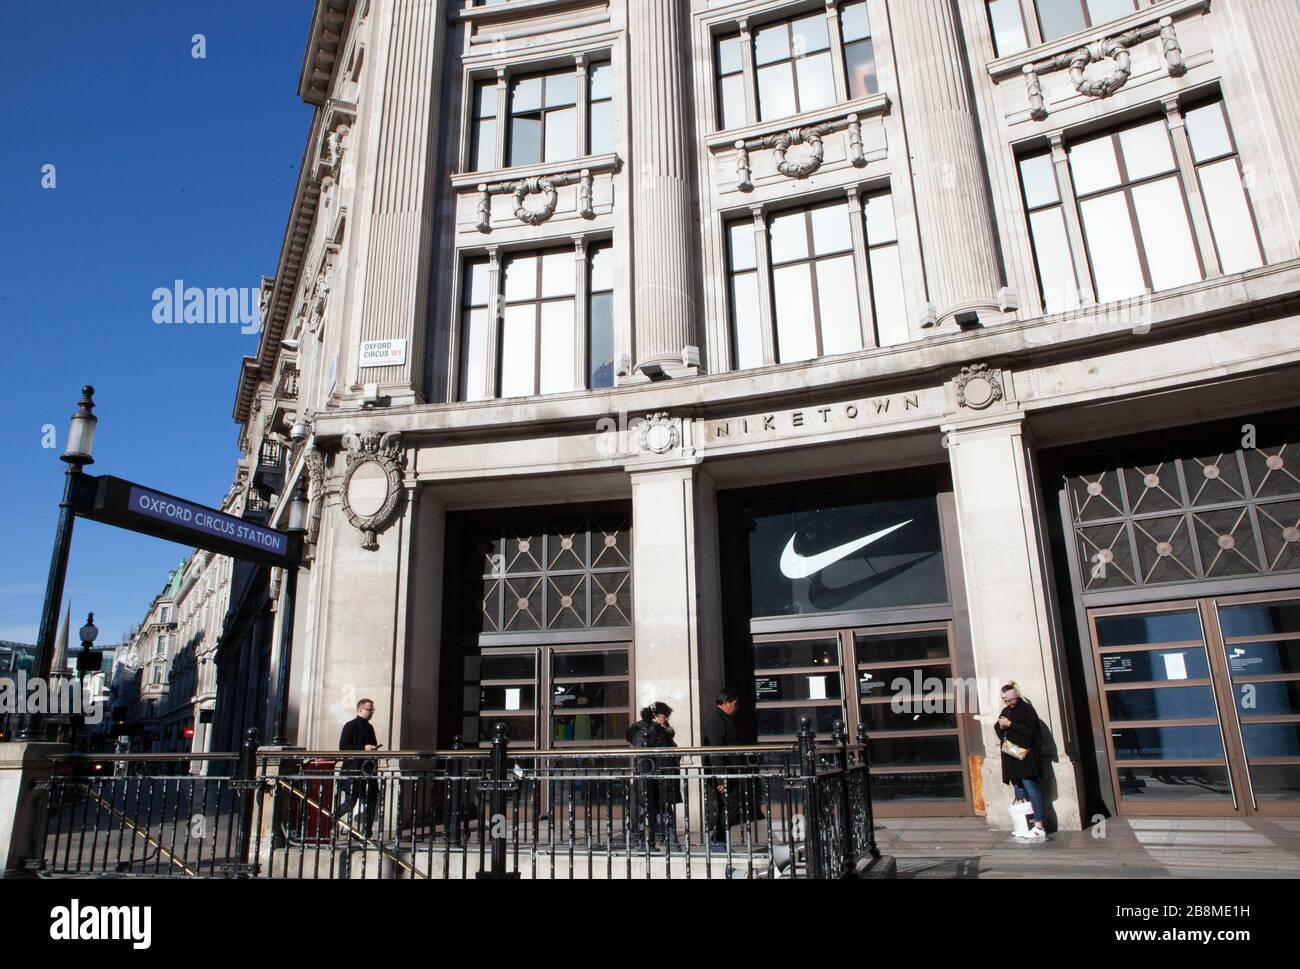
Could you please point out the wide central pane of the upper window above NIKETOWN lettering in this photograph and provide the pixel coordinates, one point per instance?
(794, 63)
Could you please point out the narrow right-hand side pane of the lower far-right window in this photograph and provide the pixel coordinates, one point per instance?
(1220, 172)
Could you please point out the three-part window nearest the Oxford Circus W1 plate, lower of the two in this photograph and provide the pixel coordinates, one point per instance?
(536, 334)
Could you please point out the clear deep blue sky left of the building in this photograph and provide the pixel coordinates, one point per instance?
(167, 167)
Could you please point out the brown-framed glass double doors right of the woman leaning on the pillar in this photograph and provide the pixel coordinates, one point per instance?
(1202, 706)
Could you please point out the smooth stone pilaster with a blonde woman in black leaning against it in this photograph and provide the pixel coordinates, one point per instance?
(1006, 569)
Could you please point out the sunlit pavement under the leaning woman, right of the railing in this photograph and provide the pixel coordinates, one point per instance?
(951, 849)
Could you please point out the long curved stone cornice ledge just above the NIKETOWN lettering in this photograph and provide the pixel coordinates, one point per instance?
(1221, 302)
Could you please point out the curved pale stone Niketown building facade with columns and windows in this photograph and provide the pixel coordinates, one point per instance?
(632, 348)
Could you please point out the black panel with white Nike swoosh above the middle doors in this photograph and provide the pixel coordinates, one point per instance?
(844, 552)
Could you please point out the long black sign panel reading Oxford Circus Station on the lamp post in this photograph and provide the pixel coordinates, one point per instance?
(140, 509)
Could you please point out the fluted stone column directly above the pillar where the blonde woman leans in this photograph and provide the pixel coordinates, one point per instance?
(956, 222)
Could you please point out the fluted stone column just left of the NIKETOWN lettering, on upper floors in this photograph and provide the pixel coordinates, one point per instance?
(662, 218)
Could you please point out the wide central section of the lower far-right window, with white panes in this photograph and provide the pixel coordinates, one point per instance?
(1134, 213)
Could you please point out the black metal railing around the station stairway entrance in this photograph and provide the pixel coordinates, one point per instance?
(742, 812)
